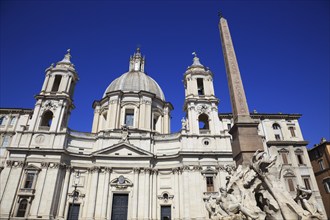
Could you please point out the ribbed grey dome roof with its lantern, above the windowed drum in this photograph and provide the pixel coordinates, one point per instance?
(136, 80)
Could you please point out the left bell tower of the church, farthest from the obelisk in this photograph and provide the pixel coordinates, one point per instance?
(54, 102)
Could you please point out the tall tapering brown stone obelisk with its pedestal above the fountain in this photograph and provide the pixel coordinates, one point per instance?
(244, 131)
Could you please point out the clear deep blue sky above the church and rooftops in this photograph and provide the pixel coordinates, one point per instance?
(282, 49)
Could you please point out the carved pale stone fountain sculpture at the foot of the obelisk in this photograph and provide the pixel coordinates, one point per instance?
(256, 192)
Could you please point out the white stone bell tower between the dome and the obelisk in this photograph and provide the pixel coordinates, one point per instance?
(201, 105)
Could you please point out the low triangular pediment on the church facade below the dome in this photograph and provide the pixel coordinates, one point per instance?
(123, 150)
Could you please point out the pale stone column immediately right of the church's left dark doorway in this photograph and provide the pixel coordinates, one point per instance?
(92, 192)
